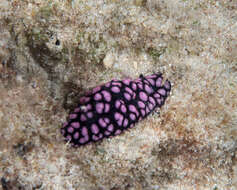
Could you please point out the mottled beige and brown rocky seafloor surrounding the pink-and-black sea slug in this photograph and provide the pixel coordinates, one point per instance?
(52, 52)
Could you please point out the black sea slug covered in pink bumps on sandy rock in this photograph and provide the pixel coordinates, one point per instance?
(109, 109)
